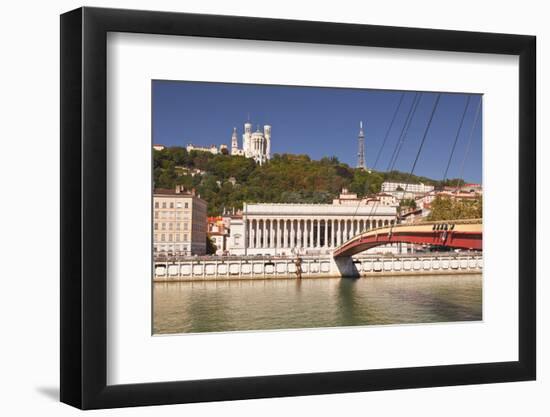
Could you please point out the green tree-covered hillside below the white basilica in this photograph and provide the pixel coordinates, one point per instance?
(228, 181)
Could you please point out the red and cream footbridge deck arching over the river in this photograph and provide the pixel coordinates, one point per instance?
(455, 234)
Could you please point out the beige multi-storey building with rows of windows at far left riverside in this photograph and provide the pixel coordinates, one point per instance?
(179, 223)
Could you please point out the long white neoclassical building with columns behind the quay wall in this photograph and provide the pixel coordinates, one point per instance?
(284, 229)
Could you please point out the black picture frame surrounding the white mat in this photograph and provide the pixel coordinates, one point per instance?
(84, 207)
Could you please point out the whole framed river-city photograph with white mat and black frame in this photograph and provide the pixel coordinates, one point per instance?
(258, 208)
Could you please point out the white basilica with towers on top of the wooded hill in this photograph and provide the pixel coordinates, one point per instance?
(256, 145)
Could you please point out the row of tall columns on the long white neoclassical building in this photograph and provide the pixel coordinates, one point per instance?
(306, 233)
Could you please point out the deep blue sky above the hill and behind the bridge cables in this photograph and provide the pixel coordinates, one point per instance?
(323, 122)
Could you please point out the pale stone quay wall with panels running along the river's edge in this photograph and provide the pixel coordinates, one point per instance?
(229, 268)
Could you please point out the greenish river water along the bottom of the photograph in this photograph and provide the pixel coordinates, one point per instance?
(215, 306)
